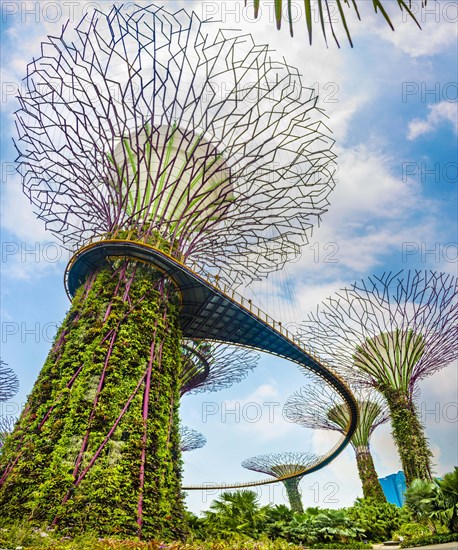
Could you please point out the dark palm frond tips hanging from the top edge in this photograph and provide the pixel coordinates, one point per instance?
(323, 12)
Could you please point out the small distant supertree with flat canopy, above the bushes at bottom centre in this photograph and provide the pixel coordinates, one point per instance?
(280, 465)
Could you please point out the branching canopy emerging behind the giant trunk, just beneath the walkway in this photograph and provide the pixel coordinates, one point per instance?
(209, 367)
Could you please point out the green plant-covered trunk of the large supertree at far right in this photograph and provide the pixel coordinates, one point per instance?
(409, 436)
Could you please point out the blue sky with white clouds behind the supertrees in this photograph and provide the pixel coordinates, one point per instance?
(392, 108)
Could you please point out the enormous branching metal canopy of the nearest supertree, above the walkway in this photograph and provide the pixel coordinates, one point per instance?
(138, 120)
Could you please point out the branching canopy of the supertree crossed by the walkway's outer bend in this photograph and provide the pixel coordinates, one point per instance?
(317, 406)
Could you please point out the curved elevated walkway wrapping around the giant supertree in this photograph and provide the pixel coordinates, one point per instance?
(212, 313)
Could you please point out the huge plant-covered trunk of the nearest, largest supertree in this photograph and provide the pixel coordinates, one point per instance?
(97, 446)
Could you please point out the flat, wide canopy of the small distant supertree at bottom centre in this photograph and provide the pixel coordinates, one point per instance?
(282, 465)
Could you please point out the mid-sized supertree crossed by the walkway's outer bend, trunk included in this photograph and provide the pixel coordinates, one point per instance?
(315, 406)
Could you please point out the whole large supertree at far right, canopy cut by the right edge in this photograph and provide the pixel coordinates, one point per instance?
(388, 333)
